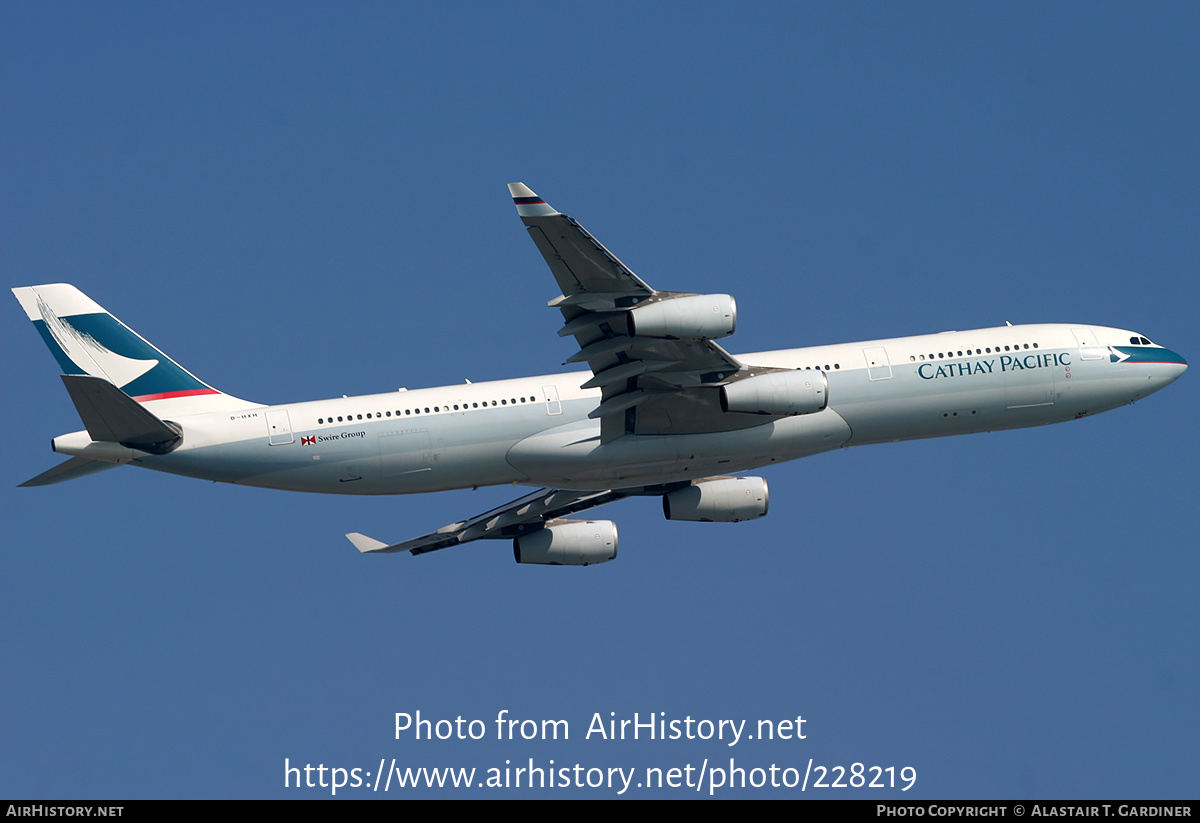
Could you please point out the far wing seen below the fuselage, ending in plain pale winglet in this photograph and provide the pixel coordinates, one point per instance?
(513, 520)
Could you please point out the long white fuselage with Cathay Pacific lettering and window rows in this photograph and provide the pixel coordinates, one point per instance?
(537, 430)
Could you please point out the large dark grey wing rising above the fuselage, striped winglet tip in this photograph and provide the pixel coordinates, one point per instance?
(650, 386)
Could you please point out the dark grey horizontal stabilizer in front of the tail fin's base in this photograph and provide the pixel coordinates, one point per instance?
(113, 417)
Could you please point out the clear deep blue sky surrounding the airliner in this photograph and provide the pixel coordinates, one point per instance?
(303, 201)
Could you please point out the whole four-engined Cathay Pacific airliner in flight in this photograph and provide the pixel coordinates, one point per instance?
(664, 412)
